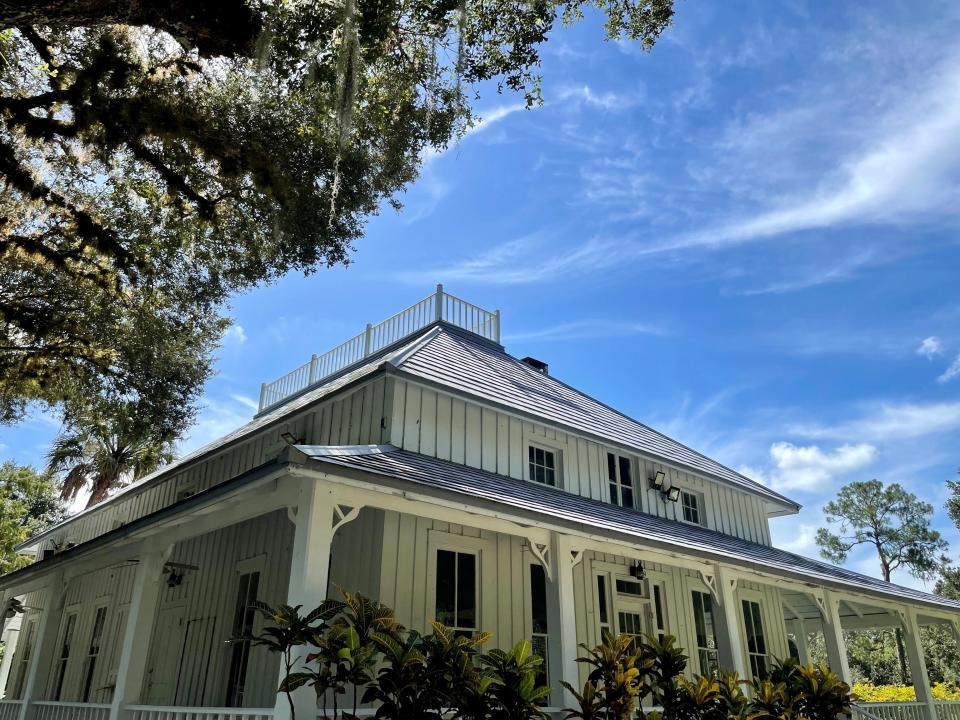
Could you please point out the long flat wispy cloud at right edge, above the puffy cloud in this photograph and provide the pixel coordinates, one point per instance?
(885, 421)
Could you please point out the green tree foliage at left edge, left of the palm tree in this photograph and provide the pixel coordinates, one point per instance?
(30, 504)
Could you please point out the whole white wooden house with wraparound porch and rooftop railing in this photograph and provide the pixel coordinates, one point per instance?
(422, 465)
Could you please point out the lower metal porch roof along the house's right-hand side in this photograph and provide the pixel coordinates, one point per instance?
(560, 505)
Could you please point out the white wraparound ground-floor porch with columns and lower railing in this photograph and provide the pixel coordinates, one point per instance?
(175, 582)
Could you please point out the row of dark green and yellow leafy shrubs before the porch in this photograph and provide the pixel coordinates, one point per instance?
(361, 655)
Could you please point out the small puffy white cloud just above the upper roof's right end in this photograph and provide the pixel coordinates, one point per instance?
(810, 468)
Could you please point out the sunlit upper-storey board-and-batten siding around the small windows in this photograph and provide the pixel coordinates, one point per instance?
(441, 425)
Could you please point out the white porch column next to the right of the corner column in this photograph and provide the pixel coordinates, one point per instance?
(562, 620)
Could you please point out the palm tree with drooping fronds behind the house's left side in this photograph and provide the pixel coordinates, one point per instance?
(107, 449)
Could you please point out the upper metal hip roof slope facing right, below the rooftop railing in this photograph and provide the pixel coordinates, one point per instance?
(467, 364)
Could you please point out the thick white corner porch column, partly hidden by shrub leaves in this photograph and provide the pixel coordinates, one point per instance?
(309, 576)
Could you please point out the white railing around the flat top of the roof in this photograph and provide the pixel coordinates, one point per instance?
(439, 306)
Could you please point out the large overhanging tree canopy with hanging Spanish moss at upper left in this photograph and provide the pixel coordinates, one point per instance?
(157, 157)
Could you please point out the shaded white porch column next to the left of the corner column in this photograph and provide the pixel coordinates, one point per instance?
(135, 643)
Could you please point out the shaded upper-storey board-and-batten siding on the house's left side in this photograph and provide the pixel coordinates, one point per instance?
(357, 416)
